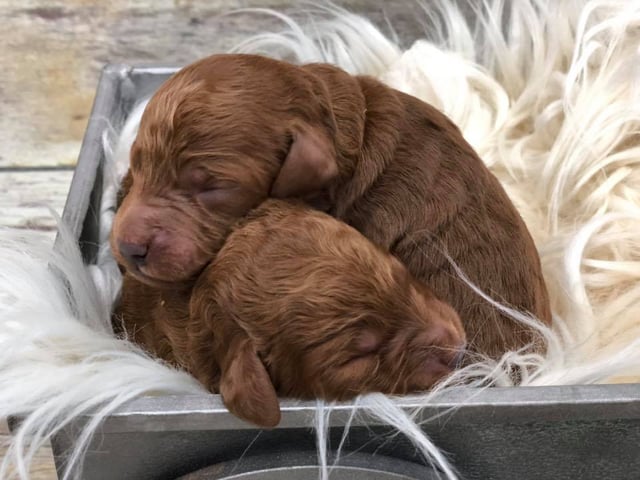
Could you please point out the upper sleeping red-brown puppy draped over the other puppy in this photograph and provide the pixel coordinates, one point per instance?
(229, 131)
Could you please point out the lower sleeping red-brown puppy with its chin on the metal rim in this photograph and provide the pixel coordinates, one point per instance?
(298, 304)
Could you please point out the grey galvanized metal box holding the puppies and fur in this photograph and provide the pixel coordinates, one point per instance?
(572, 432)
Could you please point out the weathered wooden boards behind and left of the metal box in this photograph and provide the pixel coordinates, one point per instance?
(51, 54)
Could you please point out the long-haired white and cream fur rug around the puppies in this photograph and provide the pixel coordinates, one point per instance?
(549, 95)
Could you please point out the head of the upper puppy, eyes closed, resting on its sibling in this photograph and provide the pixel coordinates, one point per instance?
(217, 139)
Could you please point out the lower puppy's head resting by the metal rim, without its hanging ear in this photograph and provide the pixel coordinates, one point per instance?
(331, 314)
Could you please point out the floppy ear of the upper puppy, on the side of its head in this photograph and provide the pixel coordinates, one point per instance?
(309, 166)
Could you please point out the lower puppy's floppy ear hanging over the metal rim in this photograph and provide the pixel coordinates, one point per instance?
(246, 388)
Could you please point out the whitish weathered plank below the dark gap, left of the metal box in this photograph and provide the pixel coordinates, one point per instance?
(27, 198)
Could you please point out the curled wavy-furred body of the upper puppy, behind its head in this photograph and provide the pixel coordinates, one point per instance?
(435, 203)
